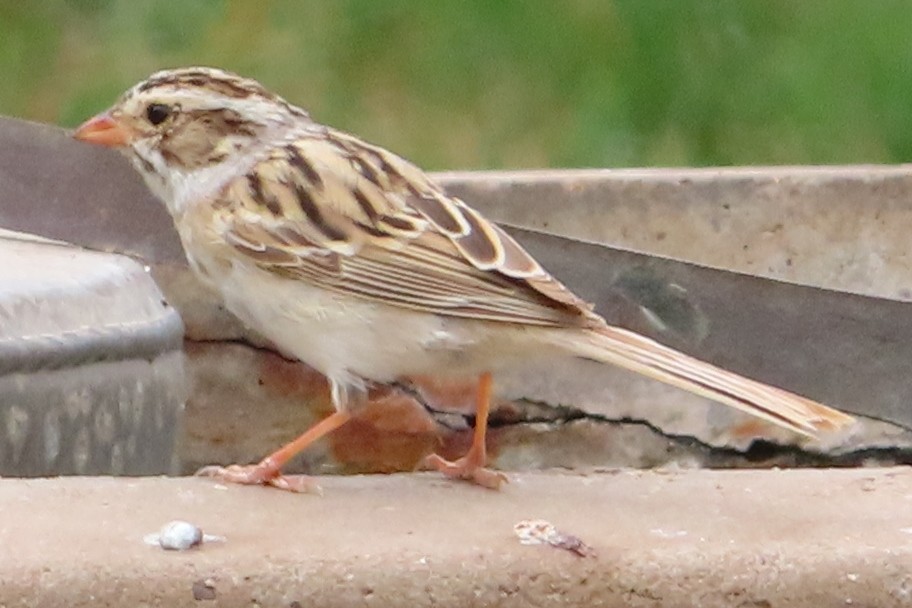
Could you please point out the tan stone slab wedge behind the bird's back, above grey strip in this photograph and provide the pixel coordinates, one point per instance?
(838, 227)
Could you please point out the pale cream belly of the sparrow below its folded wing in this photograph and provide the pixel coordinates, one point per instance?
(342, 336)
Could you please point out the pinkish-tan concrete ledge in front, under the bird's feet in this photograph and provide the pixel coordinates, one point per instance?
(708, 538)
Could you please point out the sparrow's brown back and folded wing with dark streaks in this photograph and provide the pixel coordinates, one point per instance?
(353, 218)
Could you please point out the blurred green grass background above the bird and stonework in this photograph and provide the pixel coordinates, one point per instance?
(498, 83)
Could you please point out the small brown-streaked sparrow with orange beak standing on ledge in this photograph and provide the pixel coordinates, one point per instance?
(354, 261)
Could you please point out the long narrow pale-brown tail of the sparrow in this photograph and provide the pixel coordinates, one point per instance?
(642, 355)
